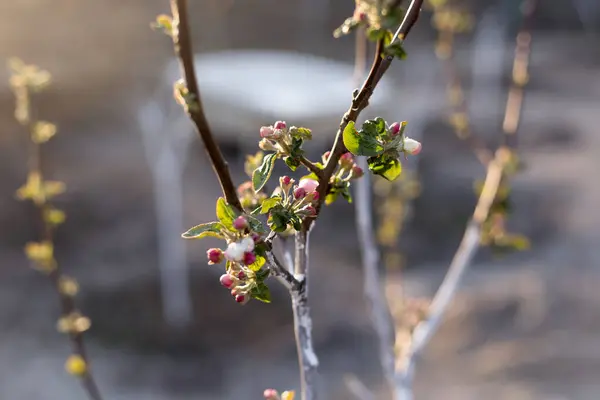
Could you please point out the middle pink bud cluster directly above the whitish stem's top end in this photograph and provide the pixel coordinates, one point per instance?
(300, 198)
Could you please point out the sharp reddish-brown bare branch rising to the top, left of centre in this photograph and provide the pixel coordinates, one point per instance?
(183, 49)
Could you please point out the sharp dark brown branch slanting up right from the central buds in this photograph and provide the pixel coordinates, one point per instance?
(361, 100)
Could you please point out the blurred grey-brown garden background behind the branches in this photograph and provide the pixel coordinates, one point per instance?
(524, 326)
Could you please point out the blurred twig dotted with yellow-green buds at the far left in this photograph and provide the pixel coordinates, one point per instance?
(24, 80)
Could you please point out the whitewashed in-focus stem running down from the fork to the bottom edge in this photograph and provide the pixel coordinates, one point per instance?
(307, 358)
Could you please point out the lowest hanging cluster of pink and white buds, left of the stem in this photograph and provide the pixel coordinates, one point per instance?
(240, 254)
